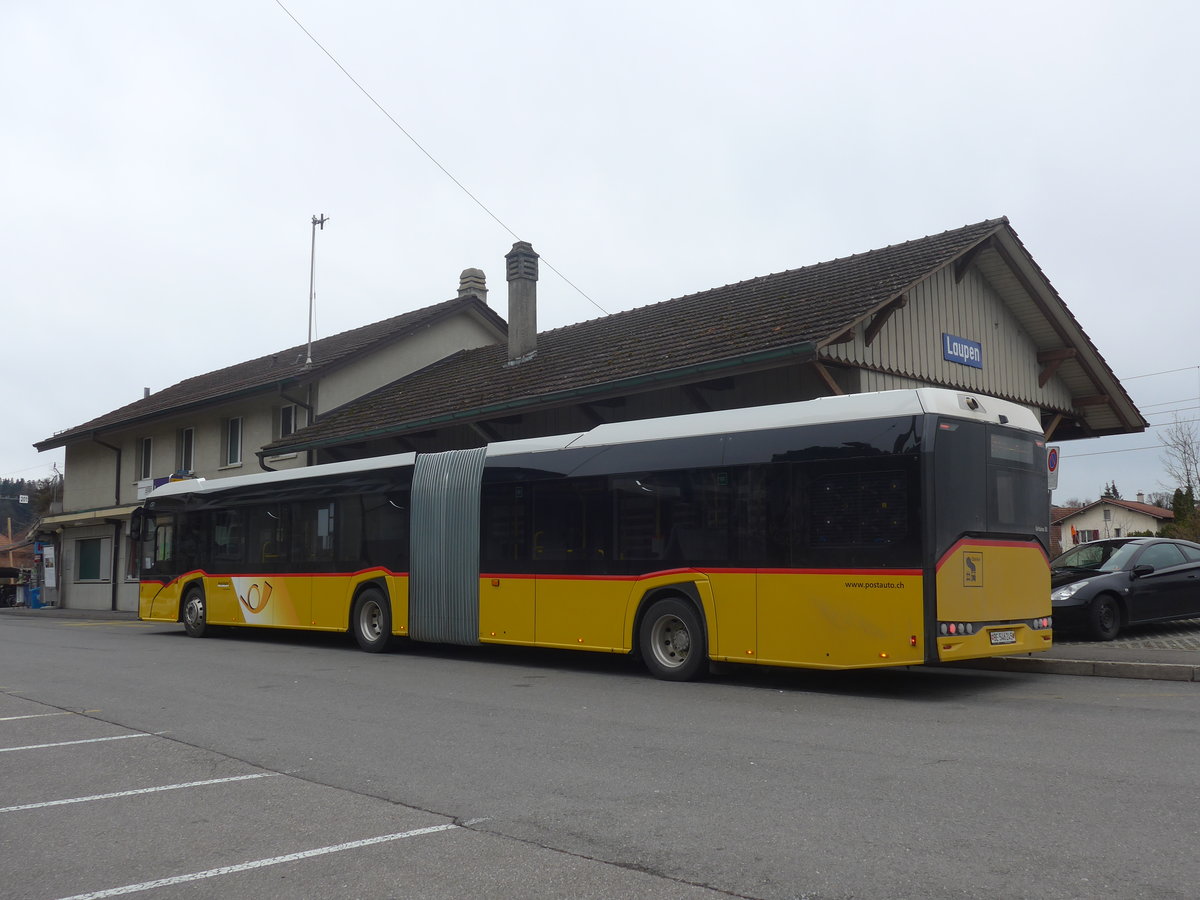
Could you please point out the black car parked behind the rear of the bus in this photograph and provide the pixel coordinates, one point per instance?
(1103, 586)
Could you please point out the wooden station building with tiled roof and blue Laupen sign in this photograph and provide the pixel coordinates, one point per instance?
(886, 319)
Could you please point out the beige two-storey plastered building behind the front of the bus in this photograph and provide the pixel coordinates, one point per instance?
(215, 425)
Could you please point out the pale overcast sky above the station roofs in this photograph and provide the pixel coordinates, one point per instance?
(161, 163)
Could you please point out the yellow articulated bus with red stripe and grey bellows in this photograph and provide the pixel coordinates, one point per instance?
(875, 530)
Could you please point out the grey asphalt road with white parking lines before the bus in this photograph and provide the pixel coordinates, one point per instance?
(290, 766)
